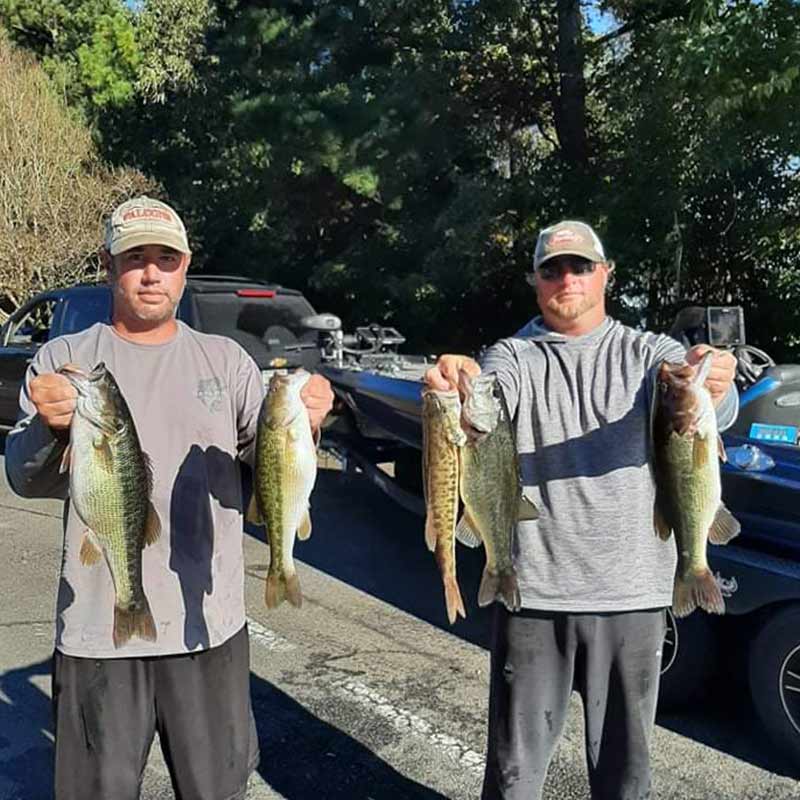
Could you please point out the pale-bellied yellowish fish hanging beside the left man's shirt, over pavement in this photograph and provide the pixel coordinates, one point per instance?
(286, 469)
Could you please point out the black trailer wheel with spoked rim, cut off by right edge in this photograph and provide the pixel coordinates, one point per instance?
(774, 671)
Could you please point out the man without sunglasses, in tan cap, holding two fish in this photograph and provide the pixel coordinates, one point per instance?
(189, 677)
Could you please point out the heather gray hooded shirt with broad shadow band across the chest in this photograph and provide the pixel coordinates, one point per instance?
(581, 409)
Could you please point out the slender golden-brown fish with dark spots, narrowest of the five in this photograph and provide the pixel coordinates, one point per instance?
(441, 438)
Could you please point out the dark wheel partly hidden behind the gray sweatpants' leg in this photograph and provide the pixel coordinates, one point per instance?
(688, 659)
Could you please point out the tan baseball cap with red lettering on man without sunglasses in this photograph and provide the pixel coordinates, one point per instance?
(142, 221)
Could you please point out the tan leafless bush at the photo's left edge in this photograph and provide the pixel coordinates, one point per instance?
(54, 190)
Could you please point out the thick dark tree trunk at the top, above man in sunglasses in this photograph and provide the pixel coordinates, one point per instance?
(570, 106)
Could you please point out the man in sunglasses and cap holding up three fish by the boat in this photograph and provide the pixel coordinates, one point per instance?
(593, 577)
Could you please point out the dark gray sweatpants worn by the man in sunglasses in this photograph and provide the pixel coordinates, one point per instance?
(538, 659)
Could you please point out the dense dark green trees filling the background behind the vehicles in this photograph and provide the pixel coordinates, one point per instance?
(397, 158)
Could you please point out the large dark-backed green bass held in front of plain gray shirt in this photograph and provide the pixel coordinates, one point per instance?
(110, 486)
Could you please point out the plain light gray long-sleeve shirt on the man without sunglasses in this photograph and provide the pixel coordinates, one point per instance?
(195, 402)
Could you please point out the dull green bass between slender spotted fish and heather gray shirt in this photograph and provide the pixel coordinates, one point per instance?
(491, 488)
